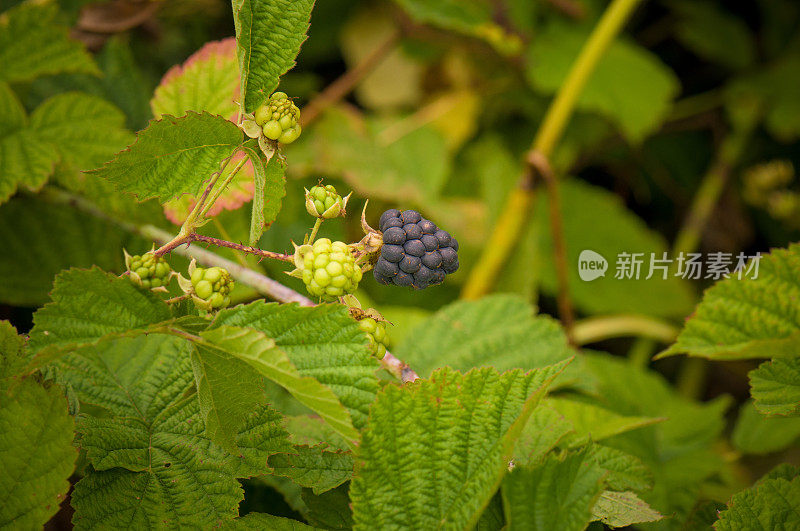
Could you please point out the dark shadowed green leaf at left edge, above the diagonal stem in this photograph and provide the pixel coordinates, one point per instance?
(45, 238)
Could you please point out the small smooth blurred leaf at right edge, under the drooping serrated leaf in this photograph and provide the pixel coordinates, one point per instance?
(756, 434)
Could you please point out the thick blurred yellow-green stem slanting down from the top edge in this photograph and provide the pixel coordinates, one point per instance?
(517, 210)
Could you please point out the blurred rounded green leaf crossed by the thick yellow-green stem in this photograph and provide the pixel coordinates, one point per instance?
(630, 85)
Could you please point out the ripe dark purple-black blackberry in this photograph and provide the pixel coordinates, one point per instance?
(415, 252)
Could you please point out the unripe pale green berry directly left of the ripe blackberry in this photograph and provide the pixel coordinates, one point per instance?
(329, 270)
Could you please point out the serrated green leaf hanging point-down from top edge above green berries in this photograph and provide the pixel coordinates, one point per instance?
(269, 36)
